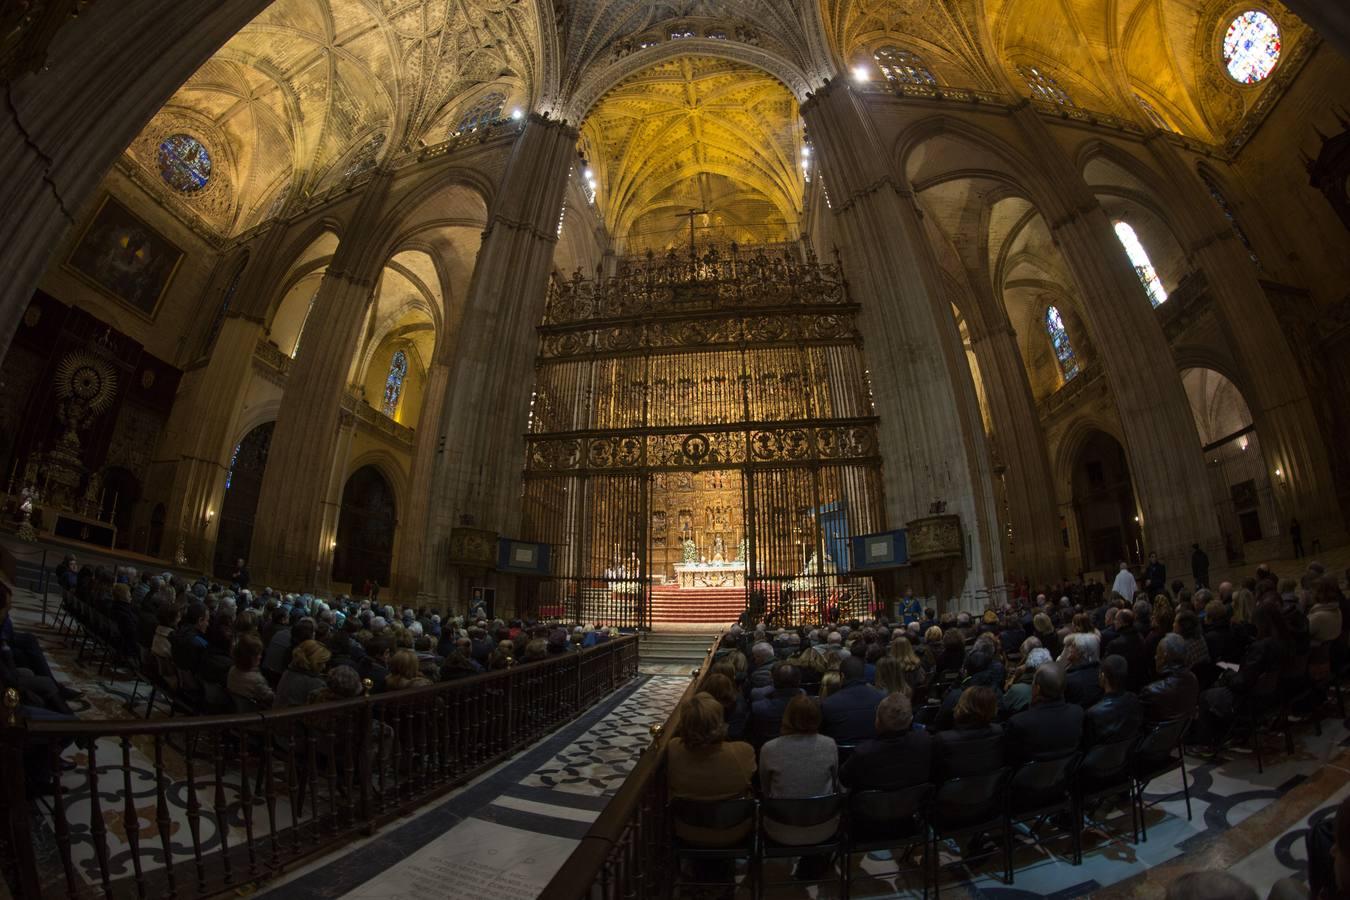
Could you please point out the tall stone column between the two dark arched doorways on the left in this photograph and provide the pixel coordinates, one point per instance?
(291, 532)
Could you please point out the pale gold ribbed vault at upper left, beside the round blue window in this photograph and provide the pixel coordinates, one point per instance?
(314, 92)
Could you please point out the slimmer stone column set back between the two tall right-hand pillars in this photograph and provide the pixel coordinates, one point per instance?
(1037, 547)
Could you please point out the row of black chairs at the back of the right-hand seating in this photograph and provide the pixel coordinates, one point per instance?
(1063, 791)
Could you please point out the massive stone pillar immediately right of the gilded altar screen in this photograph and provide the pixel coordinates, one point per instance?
(934, 443)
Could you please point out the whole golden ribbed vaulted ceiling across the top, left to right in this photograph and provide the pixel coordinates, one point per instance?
(314, 92)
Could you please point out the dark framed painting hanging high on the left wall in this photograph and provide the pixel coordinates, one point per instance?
(125, 258)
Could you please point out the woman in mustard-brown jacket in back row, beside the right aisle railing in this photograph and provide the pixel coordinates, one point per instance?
(704, 766)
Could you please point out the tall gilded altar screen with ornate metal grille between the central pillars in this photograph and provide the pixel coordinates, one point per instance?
(701, 422)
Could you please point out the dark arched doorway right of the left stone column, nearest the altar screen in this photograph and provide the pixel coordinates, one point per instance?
(365, 530)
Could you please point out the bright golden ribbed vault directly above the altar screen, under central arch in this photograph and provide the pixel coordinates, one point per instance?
(696, 133)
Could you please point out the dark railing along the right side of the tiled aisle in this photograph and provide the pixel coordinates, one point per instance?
(627, 852)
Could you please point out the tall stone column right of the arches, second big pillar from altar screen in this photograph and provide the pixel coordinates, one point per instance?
(1160, 439)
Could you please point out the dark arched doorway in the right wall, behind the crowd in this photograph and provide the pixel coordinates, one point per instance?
(1104, 500)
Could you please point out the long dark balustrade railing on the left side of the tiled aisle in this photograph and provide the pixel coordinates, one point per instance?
(195, 808)
